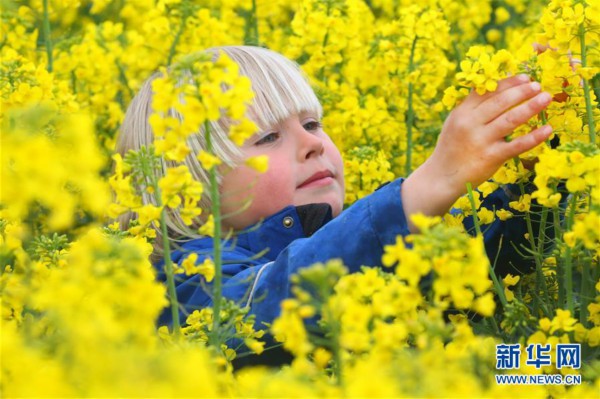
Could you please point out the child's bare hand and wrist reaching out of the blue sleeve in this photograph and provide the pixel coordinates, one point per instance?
(472, 145)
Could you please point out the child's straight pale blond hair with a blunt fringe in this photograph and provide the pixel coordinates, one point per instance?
(280, 89)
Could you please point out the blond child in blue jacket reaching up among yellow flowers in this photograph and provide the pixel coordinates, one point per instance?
(296, 210)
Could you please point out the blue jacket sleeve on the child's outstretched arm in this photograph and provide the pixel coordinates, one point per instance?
(357, 237)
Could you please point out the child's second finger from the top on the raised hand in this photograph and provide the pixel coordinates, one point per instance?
(497, 105)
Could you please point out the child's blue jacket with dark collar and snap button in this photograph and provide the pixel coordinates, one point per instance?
(258, 263)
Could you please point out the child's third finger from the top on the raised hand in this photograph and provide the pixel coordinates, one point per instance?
(507, 121)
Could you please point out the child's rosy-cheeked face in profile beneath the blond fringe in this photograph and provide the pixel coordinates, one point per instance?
(305, 167)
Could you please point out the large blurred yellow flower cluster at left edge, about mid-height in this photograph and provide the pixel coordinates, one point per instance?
(67, 143)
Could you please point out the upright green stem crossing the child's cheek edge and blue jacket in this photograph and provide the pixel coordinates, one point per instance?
(215, 336)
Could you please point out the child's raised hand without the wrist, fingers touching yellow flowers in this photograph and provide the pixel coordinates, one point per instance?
(472, 144)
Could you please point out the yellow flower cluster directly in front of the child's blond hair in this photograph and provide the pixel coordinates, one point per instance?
(197, 101)
